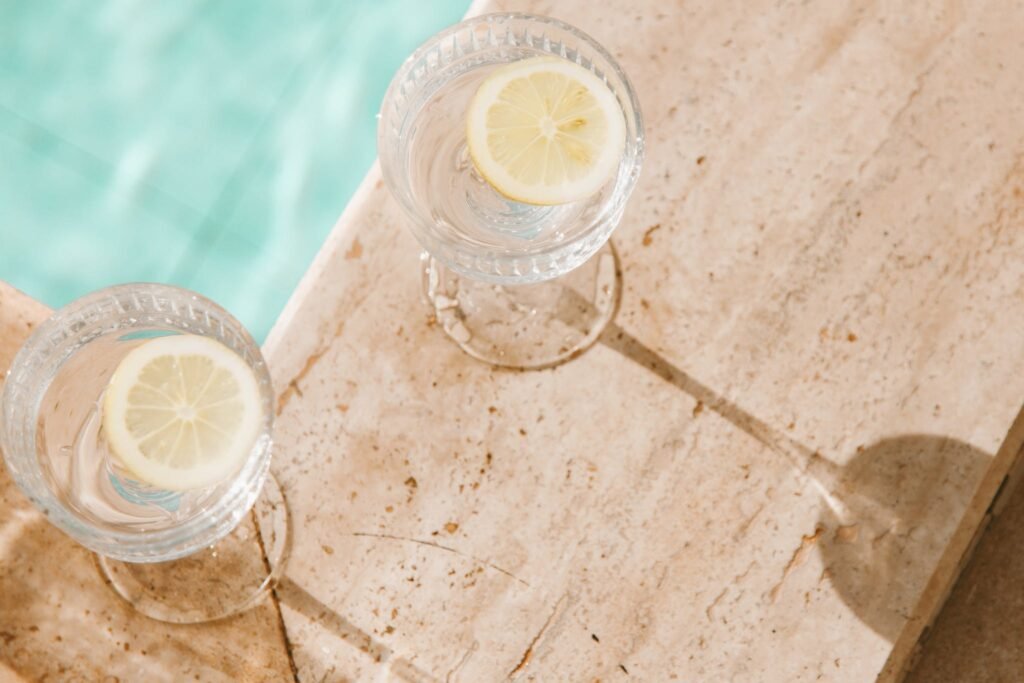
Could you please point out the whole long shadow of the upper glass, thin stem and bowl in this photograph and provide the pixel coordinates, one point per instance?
(887, 516)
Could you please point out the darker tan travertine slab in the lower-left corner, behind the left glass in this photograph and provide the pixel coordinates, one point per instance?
(59, 622)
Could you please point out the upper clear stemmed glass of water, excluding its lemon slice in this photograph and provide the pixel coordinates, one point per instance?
(514, 284)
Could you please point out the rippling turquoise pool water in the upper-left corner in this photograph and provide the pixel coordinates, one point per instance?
(208, 145)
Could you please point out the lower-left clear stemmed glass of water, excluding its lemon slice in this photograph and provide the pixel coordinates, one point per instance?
(177, 557)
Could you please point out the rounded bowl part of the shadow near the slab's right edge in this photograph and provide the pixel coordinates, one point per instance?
(904, 498)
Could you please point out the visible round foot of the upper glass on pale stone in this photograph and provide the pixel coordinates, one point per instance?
(526, 326)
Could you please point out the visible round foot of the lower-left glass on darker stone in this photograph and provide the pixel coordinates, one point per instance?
(223, 580)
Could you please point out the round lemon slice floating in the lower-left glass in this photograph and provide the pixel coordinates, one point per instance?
(183, 412)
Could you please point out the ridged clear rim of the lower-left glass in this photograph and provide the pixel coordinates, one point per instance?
(150, 546)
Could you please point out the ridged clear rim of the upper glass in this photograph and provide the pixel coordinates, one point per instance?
(627, 97)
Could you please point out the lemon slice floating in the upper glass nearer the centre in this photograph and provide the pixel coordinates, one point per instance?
(545, 131)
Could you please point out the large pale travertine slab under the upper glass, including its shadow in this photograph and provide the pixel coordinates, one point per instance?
(771, 468)
